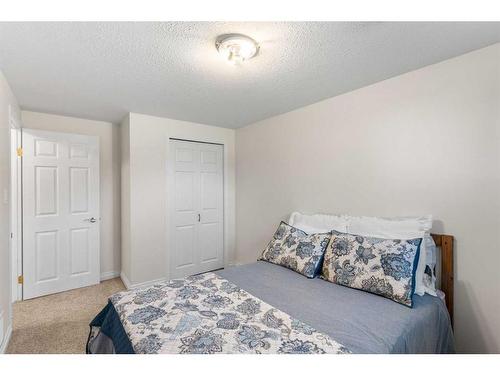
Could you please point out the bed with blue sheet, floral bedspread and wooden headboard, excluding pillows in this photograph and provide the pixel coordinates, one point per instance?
(327, 318)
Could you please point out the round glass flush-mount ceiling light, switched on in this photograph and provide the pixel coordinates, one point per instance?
(236, 48)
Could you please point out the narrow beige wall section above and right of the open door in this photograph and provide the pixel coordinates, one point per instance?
(109, 138)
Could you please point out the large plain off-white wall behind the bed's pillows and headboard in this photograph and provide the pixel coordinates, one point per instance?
(423, 142)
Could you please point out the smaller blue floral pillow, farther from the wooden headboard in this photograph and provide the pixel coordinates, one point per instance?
(297, 250)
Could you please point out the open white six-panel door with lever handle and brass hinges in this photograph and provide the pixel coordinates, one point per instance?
(60, 212)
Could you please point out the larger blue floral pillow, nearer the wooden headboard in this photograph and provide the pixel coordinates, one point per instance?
(376, 265)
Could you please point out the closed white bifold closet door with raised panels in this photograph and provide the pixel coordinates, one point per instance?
(195, 205)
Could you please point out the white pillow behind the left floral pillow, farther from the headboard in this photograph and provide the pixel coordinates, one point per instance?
(318, 223)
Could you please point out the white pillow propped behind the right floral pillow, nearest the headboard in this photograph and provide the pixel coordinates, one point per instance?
(400, 228)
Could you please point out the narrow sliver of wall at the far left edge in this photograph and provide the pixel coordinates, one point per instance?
(7, 100)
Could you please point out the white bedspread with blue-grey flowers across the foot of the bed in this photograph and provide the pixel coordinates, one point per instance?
(208, 314)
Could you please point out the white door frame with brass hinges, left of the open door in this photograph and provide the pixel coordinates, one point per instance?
(16, 218)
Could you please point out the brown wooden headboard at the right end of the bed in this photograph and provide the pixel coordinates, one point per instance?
(445, 242)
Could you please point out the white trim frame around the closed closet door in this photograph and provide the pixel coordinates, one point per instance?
(169, 201)
